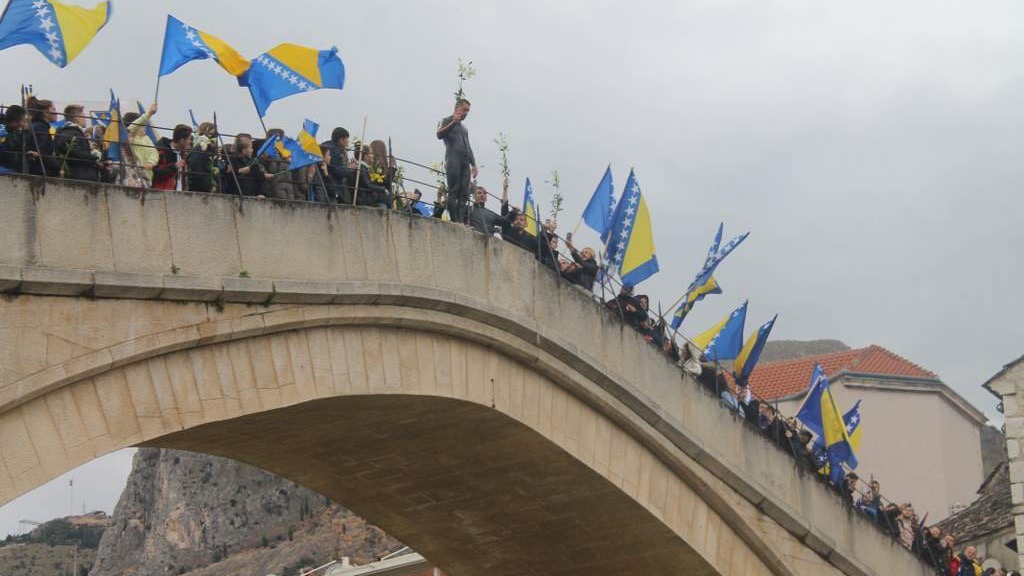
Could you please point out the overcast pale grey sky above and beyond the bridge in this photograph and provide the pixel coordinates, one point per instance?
(872, 148)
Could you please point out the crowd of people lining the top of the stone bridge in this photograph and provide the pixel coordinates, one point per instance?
(198, 160)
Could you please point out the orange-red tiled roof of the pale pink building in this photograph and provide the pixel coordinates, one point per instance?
(779, 380)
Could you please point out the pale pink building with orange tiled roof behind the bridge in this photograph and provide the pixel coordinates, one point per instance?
(921, 440)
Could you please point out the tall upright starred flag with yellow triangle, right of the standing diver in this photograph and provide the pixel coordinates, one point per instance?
(631, 245)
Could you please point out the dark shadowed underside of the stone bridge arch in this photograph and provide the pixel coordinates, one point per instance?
(472, 489)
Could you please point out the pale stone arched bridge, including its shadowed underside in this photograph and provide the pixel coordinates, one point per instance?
(436, 382)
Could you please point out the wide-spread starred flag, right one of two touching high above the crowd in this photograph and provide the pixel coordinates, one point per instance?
(289, 70)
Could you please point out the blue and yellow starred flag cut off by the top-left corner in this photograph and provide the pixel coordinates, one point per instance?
(60, 31)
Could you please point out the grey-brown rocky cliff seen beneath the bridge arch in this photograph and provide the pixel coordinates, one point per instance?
(191, 514)
